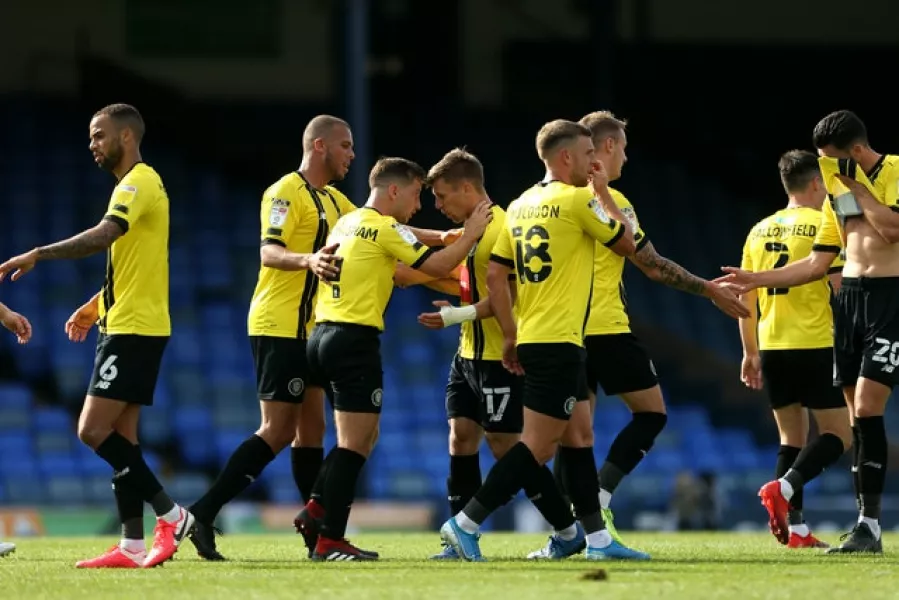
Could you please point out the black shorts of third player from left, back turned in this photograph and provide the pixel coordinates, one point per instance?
(347, 359)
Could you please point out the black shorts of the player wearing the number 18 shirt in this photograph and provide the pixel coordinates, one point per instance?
(554, 378)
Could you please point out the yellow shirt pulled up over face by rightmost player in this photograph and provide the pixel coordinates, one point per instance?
(882, 182)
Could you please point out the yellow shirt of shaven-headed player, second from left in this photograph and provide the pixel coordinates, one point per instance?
(299, 217)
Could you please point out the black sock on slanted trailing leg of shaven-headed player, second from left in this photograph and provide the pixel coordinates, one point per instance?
(244, 466)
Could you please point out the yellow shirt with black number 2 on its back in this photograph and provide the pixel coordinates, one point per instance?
(790, 318)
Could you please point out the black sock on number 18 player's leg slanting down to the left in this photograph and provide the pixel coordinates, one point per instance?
(503, 481)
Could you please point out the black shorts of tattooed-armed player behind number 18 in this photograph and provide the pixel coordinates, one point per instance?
(619, 363)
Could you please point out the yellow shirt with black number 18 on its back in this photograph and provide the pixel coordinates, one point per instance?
(549, 241)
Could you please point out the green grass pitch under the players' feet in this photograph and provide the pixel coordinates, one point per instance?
(694, 566)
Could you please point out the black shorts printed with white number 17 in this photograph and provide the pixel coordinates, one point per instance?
(485, 392)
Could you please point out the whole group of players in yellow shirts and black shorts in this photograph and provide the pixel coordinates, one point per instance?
(543, 324)
